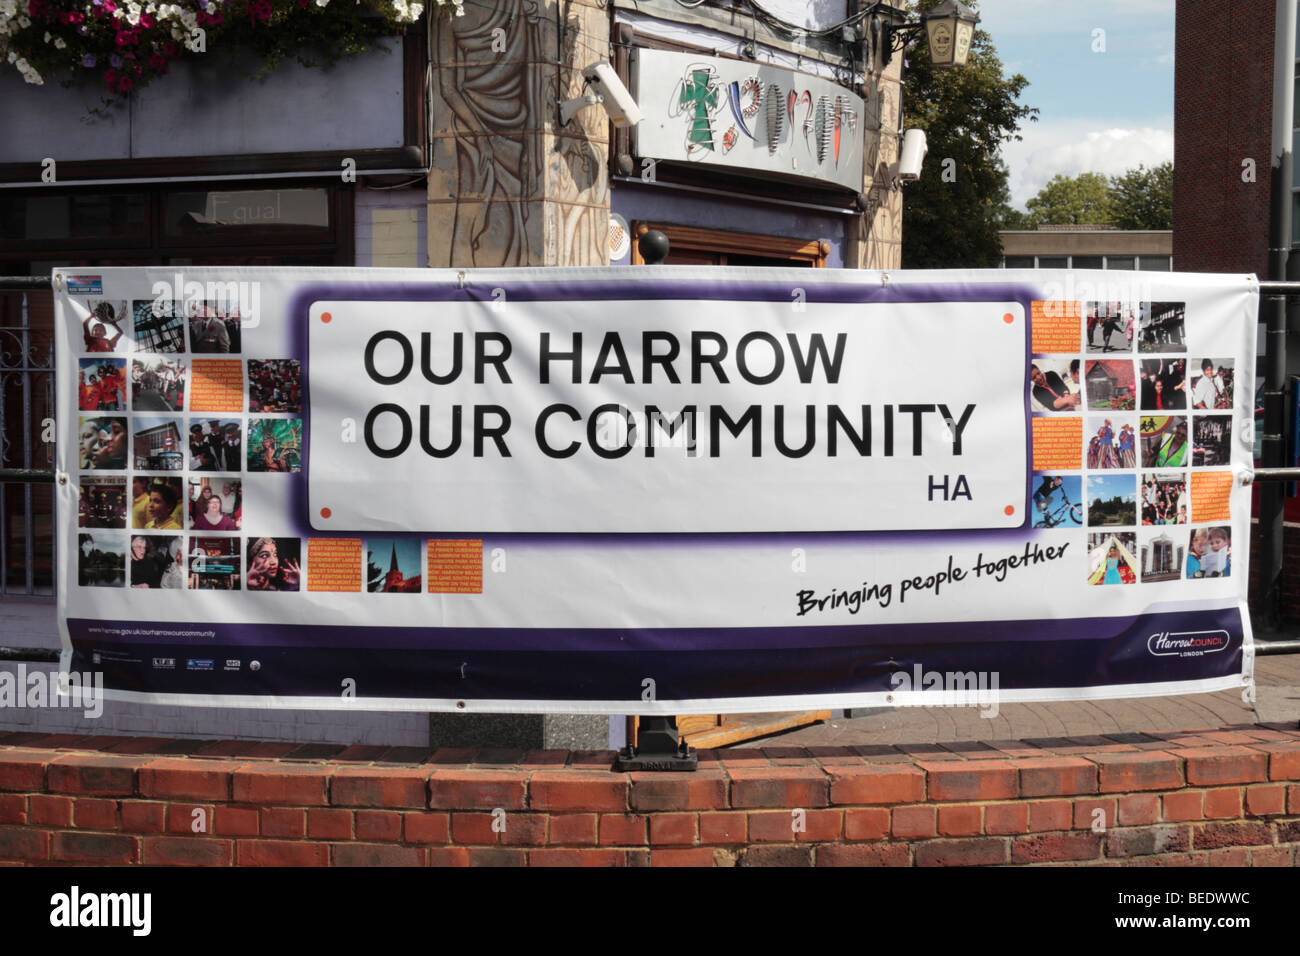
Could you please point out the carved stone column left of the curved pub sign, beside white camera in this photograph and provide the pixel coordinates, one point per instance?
(508, 187)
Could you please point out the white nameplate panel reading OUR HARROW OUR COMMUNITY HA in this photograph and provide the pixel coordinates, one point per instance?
(720, 417)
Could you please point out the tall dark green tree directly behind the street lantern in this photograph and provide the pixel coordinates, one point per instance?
(952, 215)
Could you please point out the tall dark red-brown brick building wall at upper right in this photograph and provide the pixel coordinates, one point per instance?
(1223, 115)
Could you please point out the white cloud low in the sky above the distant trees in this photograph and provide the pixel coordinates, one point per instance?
(1084, 146)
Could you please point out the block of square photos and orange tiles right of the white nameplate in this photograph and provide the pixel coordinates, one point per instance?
(1133, 426)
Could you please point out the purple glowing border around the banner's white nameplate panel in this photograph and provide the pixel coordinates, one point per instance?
(562, 291)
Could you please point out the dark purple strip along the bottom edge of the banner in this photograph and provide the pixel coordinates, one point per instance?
(720, 664)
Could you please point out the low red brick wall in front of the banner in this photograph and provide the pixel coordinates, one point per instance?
(1206, 798)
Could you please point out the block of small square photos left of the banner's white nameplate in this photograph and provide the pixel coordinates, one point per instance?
(162, 448)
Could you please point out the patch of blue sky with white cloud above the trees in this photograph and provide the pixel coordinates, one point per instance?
(1100, 111)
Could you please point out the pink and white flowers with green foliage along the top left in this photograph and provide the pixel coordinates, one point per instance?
(125, 45)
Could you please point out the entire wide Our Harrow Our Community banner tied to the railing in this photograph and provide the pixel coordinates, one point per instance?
(643, 491)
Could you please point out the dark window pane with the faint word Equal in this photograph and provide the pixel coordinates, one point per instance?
(231, 214)
